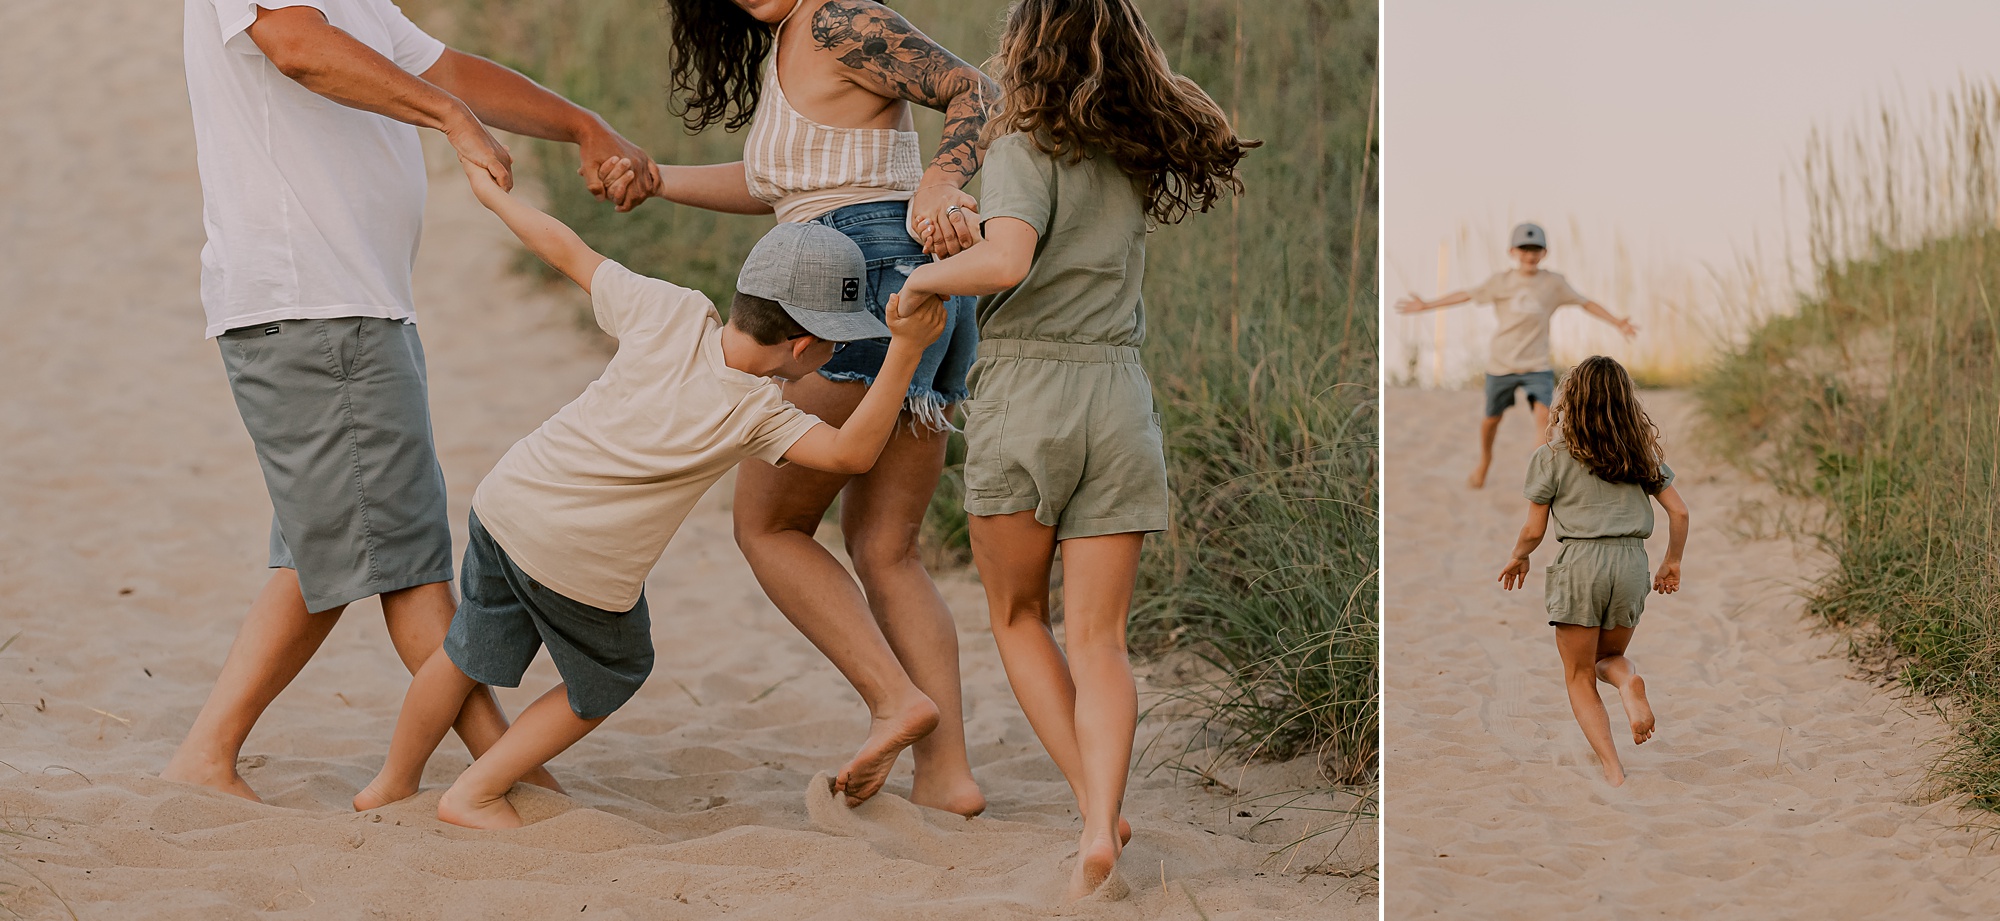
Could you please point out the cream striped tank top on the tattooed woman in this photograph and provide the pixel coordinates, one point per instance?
(805, 169)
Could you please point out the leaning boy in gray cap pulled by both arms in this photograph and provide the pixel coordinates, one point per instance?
(569, 524)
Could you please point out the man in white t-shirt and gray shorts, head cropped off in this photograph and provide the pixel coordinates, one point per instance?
(313, 199)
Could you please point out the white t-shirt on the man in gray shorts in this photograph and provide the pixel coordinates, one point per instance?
(313, 209)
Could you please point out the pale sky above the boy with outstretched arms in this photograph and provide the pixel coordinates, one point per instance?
(1661, 129)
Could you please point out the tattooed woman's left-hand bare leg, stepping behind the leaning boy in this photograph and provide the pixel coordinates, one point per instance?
(777, 514)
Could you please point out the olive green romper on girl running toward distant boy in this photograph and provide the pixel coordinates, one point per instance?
(1601, 576)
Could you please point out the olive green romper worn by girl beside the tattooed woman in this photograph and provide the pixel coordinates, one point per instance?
(1061, 415)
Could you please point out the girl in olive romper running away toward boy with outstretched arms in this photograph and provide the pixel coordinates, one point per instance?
(1597, 482)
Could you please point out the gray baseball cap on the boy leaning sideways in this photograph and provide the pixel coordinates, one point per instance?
(819, 277)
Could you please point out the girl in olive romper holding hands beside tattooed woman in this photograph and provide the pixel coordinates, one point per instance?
(1095, 143)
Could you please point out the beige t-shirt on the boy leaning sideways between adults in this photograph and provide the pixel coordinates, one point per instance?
(589, 502)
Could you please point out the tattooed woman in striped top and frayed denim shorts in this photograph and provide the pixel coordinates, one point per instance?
(827, 91)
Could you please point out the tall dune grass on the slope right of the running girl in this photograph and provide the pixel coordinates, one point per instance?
(1879, 403)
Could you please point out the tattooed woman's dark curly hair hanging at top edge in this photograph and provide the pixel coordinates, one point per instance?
(715, 63)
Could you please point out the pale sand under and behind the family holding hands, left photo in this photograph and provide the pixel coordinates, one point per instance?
(133, 538)
